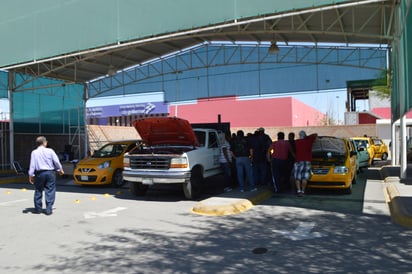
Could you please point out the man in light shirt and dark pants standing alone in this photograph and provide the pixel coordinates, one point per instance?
(42, 174)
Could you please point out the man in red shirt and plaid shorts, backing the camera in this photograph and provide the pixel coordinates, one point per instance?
(303, 161)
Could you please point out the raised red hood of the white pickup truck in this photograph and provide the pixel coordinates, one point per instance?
(165, 131)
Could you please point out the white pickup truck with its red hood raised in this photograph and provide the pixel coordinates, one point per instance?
(172, 153)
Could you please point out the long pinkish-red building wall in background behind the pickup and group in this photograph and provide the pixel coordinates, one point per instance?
(285, 111)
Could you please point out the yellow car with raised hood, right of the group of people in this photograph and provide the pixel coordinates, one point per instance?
(334, 164)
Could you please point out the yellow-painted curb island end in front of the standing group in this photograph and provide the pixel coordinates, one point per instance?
(219, 206)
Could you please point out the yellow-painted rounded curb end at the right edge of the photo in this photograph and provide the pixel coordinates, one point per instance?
(399, 213)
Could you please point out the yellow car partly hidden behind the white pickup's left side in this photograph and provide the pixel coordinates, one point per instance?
(105, 166)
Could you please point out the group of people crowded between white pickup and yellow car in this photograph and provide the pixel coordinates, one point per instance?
(282, 164)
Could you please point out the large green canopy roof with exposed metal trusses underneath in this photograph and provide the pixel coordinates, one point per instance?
(79, 41)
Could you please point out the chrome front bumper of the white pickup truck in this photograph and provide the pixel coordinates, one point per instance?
(156, 177)
